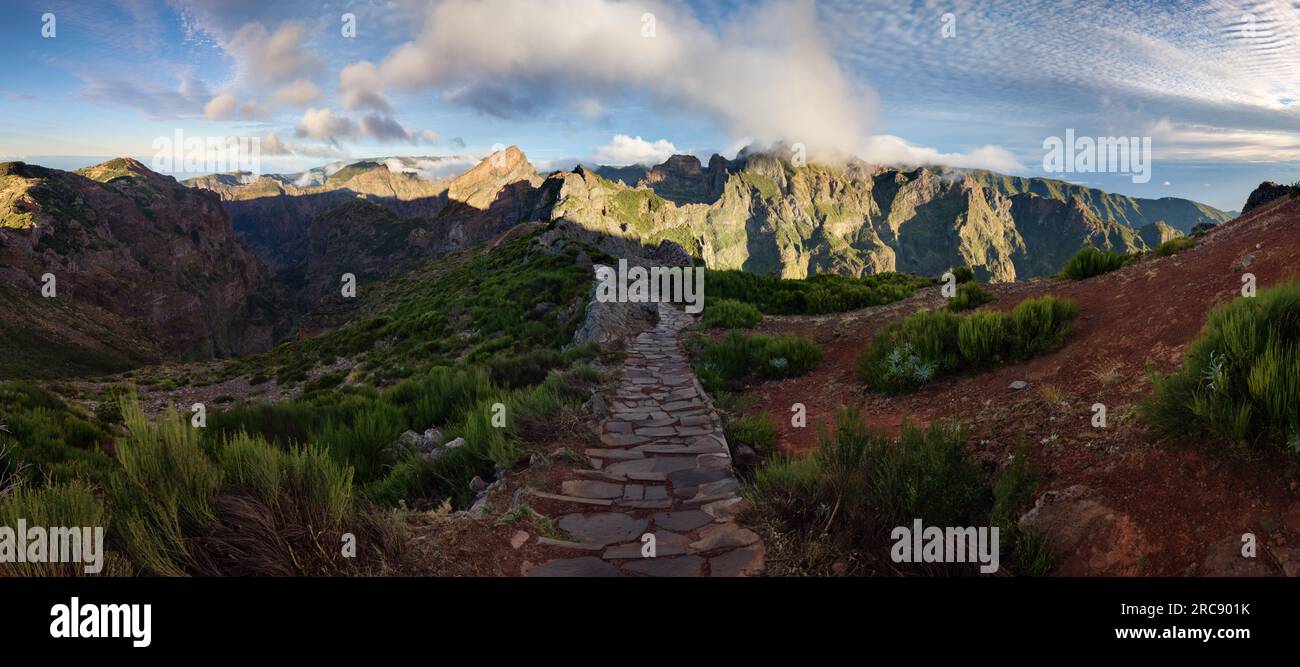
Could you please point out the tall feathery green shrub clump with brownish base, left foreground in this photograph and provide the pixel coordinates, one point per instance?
(248, 509)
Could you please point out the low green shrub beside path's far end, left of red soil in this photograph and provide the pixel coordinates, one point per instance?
(743, 358)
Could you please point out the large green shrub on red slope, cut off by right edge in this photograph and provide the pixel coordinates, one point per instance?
(1241, 379)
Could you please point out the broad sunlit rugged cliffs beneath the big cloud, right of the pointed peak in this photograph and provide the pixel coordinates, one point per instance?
(761, 214)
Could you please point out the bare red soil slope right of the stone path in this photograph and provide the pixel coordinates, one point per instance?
(1162, 509)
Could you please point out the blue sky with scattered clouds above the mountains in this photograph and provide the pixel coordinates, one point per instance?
(1214, 85)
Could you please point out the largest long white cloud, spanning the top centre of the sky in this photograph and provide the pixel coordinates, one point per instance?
(770, 77)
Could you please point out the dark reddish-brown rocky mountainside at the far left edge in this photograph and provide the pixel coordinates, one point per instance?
(131, 250)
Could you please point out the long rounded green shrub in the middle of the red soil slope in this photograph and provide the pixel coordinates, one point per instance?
(911, 353)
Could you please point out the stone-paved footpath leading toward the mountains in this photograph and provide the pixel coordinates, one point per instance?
(664, 470)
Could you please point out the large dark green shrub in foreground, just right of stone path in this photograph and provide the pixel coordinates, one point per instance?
(840, 504)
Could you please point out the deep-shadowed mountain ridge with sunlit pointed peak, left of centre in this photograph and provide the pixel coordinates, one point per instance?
(371, 222)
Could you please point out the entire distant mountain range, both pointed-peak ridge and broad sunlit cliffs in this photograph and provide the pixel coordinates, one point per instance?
(759, 214)
